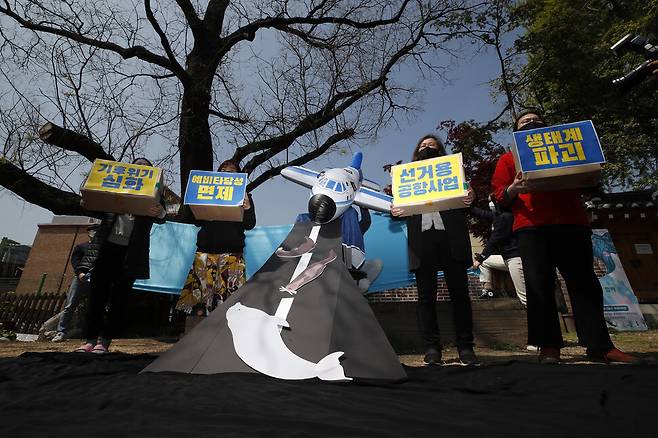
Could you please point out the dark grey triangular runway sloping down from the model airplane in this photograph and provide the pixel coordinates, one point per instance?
(328, 314)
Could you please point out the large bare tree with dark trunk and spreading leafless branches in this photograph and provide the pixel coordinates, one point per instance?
(267, 82)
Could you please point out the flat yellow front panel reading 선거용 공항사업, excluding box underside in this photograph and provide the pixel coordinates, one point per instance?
(428, 180)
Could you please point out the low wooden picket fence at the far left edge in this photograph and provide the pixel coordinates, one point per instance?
(26, 312)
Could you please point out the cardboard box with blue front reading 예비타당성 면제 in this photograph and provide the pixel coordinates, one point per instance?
(216, 196)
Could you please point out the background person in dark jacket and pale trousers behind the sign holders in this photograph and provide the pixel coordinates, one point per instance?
(501, 251)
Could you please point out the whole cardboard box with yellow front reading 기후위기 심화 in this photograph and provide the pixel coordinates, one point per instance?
(117, 187)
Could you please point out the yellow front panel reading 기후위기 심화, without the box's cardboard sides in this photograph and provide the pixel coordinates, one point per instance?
(123, 178)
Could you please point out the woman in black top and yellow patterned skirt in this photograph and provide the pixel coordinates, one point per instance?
(219, 268)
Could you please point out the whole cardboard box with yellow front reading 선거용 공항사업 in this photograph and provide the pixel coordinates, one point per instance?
(430, 185)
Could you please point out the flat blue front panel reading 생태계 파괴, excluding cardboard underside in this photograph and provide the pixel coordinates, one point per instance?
(567, 145)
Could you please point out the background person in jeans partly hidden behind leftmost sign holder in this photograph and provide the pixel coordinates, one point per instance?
(78, 289)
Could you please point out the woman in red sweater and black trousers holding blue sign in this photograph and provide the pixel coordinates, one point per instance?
(553, 232)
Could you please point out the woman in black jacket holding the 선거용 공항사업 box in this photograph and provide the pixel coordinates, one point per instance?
(440, 241)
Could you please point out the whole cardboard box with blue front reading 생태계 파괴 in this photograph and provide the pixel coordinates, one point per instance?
(559, 157)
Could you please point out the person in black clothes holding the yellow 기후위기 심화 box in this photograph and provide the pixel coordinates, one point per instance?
(117, 256)
